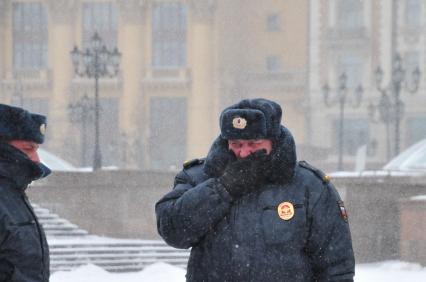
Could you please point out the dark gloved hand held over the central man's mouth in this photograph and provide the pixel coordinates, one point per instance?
(244, 175)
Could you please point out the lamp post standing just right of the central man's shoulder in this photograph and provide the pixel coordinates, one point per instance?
(341, 98)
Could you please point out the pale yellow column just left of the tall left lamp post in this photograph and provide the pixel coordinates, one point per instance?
(61, 21)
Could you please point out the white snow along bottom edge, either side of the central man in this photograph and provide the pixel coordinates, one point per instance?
(389, 271)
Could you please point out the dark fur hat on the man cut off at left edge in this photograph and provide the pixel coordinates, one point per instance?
(19, 124)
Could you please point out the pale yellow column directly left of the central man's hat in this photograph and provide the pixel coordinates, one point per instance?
(202, 116)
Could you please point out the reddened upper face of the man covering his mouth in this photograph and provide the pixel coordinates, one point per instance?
(243, 148)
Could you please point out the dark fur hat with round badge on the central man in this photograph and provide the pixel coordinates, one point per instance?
(251, 119)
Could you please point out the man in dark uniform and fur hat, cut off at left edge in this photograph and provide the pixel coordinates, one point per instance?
(24, 254)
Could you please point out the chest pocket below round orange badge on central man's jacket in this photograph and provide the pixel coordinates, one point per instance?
(290, 228)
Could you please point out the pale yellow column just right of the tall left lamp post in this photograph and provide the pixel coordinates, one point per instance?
(131, 40)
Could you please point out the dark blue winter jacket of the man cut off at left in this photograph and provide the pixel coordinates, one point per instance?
(24, 254)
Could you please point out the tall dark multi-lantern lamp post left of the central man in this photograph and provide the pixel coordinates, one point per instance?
(96, 61)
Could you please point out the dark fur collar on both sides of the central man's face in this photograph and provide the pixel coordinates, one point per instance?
(282, 164)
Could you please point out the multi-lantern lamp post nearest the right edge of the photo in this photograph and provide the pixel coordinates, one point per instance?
(390, 106)
